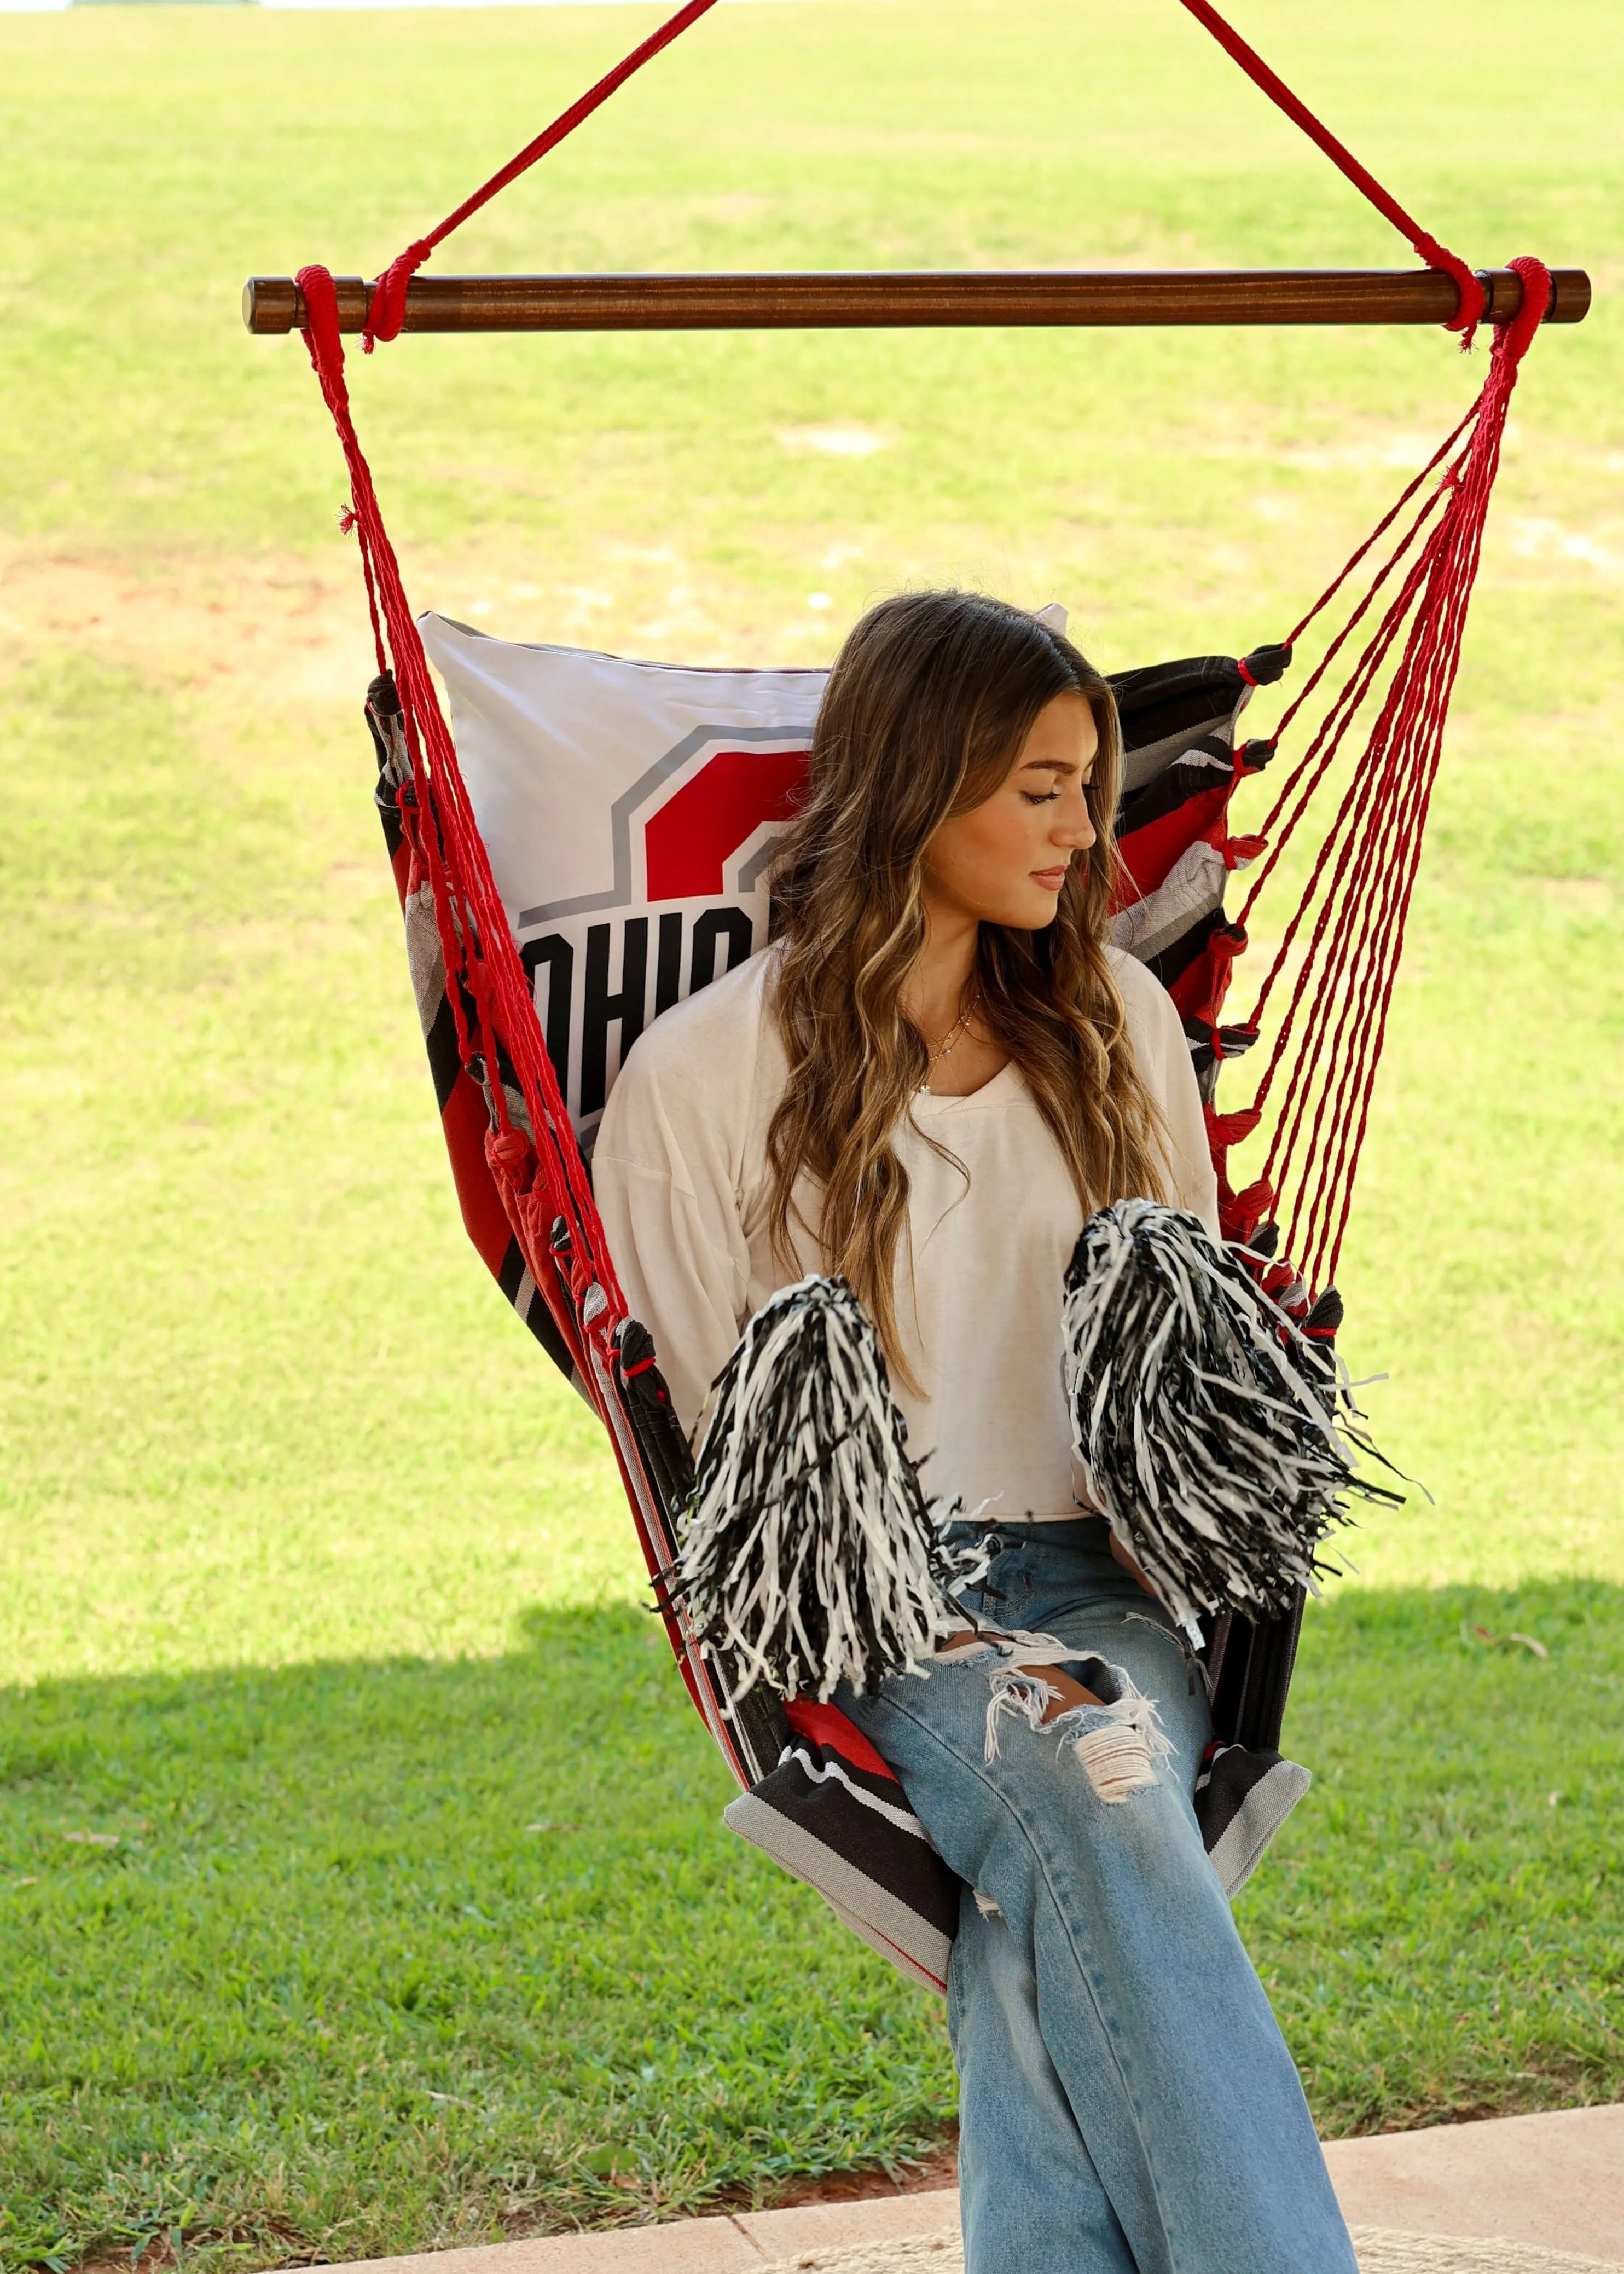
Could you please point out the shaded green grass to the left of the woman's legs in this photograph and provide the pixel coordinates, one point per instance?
(379, 1957)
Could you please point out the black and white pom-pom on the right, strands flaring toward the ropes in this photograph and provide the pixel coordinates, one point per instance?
(1202, 1416)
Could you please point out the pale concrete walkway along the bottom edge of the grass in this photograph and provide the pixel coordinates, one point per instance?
(1555, 2182)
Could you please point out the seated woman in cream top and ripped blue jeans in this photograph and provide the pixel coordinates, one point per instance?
(927, 1084)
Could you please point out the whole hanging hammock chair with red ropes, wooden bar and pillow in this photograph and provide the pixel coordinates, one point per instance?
(595, 845)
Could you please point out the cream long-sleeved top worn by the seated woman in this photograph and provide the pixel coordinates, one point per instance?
(683, 1188)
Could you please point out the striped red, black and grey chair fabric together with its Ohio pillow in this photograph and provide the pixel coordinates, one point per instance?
(631, 813)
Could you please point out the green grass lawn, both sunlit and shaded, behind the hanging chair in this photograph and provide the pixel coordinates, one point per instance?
(320, 1602)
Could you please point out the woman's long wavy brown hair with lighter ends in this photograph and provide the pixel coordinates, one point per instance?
(925, 715)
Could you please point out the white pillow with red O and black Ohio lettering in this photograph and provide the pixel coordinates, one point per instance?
(631, 813)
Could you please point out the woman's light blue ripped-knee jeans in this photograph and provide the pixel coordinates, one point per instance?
(1127, 2100)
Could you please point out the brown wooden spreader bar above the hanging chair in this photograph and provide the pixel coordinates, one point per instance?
(854, 301)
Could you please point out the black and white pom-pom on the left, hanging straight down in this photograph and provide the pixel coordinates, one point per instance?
(809, 1552)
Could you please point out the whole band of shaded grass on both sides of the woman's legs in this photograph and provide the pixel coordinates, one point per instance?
(354, 1959)
